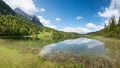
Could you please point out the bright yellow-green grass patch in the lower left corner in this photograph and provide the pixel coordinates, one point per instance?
(13, 58)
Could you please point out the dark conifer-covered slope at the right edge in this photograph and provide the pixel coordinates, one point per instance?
(110, 30)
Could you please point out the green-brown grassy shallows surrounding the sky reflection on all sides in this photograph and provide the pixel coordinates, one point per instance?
(25, 54)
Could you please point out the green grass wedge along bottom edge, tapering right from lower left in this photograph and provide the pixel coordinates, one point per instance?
(11, 58)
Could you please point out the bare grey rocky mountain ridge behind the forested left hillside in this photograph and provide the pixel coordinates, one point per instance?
(33, 18)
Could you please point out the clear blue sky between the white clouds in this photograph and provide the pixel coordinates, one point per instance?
(69, 10)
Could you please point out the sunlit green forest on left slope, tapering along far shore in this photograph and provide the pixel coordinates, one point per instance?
(15, 25)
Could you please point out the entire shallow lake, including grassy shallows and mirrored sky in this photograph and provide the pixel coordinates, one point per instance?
(85, 51)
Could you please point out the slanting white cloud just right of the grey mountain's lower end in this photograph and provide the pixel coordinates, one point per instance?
(46, 22)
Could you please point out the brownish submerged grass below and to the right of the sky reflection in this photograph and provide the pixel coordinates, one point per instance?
(111, 60)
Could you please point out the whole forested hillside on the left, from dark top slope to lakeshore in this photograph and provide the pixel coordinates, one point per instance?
(12, 24)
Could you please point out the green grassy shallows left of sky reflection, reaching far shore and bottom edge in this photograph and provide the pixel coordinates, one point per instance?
(21, 54)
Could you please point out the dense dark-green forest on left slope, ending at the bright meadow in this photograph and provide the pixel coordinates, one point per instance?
(13, 25)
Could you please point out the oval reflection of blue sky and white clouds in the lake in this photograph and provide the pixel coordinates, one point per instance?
(77, 47)
